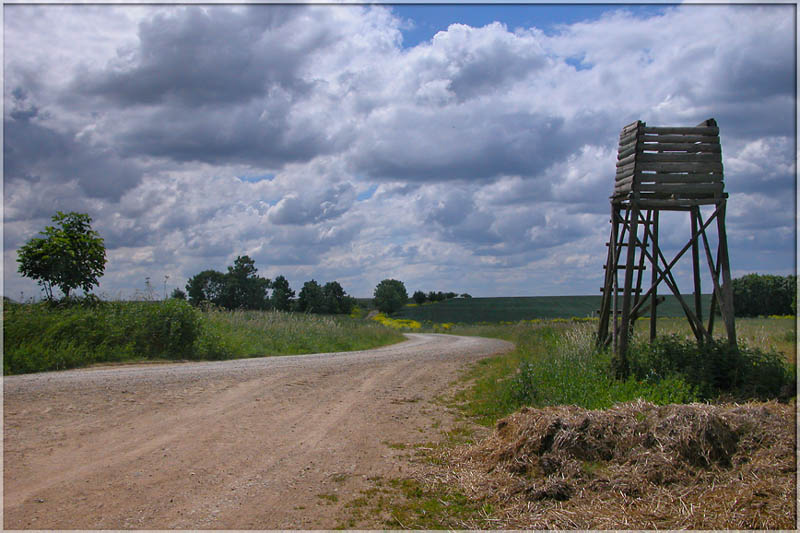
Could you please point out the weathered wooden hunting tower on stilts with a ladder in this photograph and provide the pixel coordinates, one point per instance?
(664, 169)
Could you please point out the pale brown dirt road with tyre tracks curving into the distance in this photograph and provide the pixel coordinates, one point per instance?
(268, 443)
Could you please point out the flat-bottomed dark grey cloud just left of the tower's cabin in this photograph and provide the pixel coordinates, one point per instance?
(462, 144)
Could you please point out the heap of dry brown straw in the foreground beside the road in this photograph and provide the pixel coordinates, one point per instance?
(635, 466)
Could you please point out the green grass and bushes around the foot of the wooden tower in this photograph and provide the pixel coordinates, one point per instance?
(555, 363)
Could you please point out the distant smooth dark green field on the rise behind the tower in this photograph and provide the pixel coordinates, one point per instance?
(514, 309)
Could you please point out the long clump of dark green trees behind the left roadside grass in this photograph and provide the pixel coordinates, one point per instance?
(242, 288)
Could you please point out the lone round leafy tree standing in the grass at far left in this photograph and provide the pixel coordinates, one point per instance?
(69, 255)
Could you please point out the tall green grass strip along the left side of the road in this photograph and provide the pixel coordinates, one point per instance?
(41, 336)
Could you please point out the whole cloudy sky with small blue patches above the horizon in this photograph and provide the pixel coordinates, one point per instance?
(341, 142)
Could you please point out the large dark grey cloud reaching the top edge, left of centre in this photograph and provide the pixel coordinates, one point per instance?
(207, 56)
